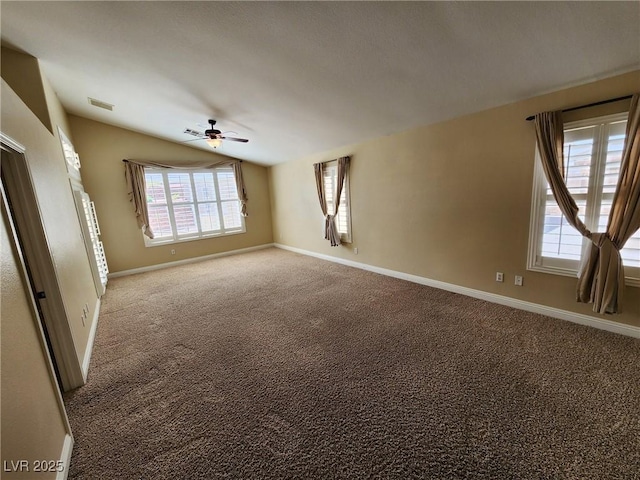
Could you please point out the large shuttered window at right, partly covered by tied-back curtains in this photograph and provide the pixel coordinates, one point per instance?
(592, 153)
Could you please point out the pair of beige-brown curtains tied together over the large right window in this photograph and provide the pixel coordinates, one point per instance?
(601, 279)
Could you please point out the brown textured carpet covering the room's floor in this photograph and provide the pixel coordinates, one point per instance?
(275, 365)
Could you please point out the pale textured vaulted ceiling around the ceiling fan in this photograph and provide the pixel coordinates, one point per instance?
(305, 77)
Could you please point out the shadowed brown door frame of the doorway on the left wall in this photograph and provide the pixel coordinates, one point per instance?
(33, 242)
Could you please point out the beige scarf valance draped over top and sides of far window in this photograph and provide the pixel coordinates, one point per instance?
(134, 174)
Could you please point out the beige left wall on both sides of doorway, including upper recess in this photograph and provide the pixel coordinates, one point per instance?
(33, 422)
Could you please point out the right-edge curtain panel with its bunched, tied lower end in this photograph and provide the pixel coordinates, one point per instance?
(602, 275)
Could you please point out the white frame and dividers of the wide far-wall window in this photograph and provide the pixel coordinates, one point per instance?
(199, 235)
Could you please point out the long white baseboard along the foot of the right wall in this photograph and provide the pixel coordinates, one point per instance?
(582, 319)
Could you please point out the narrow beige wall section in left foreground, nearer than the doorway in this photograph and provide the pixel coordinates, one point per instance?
(33, 422)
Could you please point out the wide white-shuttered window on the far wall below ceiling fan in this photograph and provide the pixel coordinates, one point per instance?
(192, 204)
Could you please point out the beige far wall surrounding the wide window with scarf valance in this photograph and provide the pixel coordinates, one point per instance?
(103, 147)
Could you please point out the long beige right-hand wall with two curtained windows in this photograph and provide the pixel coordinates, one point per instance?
(449, 201)
